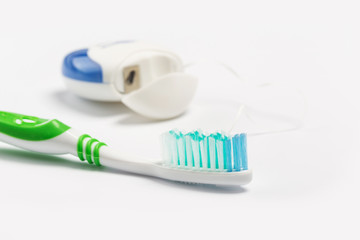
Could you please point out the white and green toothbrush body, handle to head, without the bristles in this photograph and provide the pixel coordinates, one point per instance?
(57, 138)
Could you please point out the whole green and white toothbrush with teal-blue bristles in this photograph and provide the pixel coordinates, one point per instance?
(192, 157)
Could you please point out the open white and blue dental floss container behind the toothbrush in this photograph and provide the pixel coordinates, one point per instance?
(147, 78)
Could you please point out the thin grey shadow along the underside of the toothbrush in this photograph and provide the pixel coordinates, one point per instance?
(24, 157)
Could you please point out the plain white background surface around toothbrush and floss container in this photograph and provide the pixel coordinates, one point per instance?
(306, 183)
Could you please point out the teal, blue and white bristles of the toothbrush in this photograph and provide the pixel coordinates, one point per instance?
(198, 151)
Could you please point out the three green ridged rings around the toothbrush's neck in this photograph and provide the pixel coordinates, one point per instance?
(96, 152)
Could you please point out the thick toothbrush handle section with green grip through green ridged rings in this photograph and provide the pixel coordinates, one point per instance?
(47, 136)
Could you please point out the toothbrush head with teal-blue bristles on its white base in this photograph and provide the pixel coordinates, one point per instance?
(215, 158)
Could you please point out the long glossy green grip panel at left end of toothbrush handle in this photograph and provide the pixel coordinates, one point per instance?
(29, 127)
